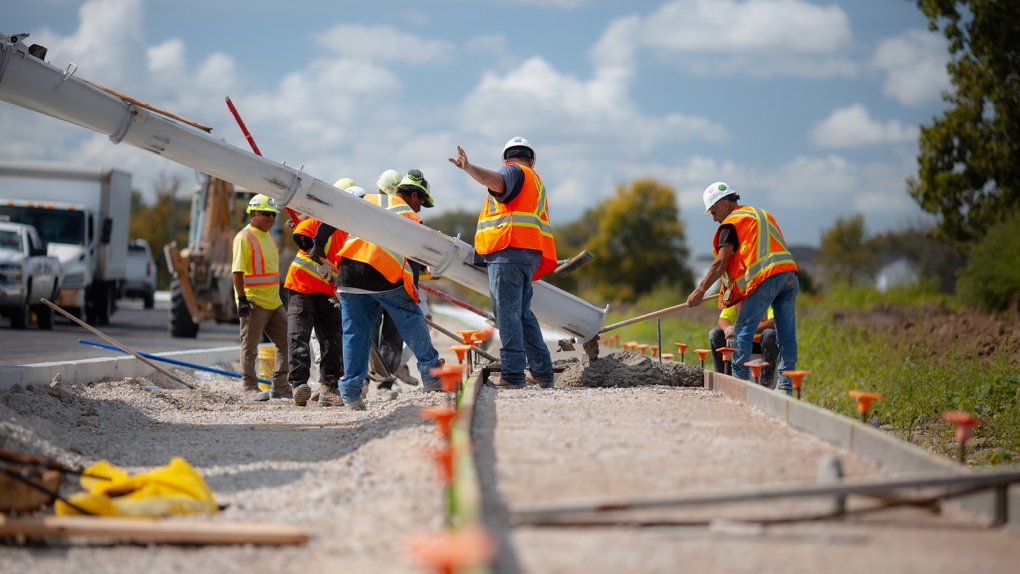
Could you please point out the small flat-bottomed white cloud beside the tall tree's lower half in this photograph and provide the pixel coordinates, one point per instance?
(854, 127)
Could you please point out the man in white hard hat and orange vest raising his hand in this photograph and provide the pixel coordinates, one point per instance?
(515, 239)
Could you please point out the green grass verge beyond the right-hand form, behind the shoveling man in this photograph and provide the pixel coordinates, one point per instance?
(917, 386)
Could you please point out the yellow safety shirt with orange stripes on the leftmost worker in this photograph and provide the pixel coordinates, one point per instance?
(257, 256)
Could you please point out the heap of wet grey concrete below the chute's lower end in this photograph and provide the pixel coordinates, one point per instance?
(625, 369)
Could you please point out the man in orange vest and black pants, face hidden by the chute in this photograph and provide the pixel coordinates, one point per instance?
(314, 305)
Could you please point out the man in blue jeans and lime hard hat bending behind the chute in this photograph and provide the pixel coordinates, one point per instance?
(371, 279)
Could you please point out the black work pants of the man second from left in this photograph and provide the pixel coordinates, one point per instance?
(305, 312)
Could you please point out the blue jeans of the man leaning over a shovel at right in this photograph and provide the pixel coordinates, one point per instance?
(780, 292)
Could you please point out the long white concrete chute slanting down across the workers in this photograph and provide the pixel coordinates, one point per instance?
(29, 82)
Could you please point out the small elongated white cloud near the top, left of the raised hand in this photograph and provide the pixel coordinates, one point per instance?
(384, 44)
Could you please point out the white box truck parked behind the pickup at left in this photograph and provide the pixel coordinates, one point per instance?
(83, 214)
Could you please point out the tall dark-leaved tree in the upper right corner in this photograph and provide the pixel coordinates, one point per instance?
(968, 174)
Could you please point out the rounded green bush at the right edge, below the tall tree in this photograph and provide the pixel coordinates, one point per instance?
(991, 280)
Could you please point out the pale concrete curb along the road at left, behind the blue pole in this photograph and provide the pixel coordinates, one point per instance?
(93, 371)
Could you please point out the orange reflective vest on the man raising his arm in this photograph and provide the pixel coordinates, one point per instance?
(524, 223)
